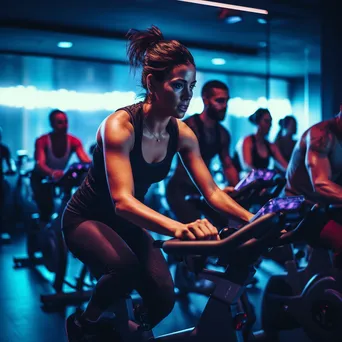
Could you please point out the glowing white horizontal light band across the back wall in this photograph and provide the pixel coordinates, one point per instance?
(33, 98)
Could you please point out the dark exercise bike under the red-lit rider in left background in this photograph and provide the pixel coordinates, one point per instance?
(49, 242)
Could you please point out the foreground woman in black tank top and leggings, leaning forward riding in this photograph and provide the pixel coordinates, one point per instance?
(106, 224)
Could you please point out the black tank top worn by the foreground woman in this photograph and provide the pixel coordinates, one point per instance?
(93, 196)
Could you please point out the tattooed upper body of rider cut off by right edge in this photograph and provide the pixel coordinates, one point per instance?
(316, 163)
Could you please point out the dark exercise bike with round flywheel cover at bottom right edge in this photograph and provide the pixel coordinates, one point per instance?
(311, 297)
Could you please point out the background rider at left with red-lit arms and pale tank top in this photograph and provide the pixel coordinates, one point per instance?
(52, 154)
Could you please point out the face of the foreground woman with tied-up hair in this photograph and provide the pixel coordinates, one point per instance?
(173, 95)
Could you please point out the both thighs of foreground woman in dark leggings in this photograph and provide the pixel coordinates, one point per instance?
(127, 248)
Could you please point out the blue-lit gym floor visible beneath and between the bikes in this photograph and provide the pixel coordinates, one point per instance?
(23, 320)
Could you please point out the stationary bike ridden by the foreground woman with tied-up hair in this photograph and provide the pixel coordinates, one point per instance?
(223, 318)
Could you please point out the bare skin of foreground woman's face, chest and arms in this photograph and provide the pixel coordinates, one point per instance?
(116, 137)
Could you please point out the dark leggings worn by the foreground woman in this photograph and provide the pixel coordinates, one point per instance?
(121, 263)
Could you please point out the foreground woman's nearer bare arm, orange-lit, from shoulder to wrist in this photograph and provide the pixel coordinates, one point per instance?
(117, 135)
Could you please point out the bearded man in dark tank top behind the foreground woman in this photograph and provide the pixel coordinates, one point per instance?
(213, 140)
